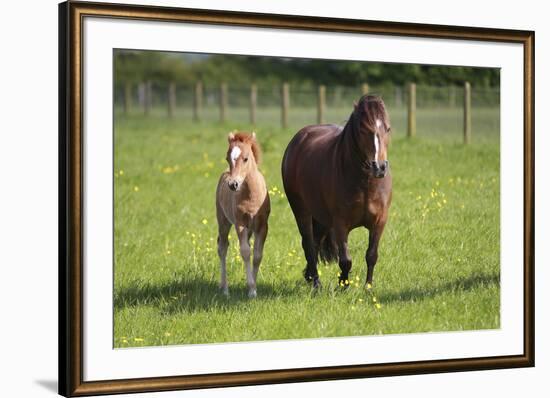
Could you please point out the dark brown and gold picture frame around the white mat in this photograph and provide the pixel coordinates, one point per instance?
(71, 15)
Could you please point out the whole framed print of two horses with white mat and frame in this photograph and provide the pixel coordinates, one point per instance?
(253, 199)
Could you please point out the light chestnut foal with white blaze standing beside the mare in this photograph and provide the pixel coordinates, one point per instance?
(242, 200)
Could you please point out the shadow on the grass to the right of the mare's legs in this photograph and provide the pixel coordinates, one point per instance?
(458, 285)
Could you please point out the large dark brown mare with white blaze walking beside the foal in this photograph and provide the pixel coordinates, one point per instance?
(337, 179)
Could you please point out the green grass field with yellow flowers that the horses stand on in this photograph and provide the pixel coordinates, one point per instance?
(438, 268)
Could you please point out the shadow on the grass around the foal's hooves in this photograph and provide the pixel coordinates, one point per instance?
(190, 295)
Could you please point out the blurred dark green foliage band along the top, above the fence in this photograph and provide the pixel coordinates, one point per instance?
(136, 66)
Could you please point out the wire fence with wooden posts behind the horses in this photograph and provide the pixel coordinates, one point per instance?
(437, 111)
